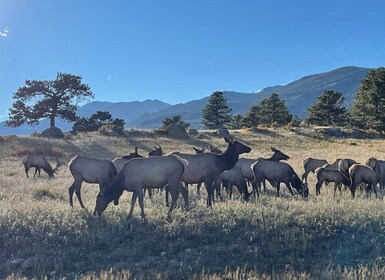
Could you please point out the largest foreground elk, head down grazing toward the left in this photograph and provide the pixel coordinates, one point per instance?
(141, 173)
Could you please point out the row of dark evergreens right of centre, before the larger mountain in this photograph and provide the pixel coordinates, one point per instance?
(366, 112)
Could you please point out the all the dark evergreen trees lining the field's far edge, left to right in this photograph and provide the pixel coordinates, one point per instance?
(60, 98)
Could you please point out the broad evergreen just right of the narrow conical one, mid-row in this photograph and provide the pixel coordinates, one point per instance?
(273, 110)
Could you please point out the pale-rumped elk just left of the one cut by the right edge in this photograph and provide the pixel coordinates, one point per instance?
(362, 174)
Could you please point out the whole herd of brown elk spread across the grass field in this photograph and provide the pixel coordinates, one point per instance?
(174, 172)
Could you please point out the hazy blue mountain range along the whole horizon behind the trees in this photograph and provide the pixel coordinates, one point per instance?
(298, 95)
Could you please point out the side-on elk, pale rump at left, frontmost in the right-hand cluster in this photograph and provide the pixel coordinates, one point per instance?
(336, 176)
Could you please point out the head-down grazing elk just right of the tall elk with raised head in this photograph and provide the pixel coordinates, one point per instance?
(277, 173)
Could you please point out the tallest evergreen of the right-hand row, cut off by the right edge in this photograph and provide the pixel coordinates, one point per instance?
(368, 109)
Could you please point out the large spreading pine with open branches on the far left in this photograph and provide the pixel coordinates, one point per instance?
(48, 99)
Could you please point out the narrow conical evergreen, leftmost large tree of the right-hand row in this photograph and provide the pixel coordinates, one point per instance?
(216, 113)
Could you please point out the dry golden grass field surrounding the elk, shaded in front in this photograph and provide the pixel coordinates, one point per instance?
(322, 237)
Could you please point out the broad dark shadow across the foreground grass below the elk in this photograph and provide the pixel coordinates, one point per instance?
(196, 241)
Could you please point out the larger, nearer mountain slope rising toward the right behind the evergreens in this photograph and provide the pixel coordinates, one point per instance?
(298, 95)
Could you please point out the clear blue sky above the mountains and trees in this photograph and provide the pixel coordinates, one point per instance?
(177, 51)
